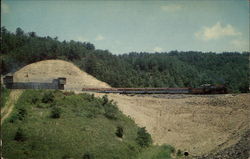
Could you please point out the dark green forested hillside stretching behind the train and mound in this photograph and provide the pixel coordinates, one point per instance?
(172, 69)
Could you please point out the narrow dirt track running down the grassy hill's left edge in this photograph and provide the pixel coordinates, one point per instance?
(13, 97)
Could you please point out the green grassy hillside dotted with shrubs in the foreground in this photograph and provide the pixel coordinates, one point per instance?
(60, 125)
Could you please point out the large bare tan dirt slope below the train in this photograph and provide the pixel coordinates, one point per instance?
(198, 124)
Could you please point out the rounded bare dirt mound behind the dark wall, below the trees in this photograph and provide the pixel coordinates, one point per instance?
(46, 71)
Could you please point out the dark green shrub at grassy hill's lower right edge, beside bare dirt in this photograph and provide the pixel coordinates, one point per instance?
(143, 137)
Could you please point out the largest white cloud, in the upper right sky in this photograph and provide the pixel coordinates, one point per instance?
(216, 31)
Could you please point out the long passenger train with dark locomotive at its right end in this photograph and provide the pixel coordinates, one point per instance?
(203, 89)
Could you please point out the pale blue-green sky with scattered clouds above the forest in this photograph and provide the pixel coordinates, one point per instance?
(142, 25)
